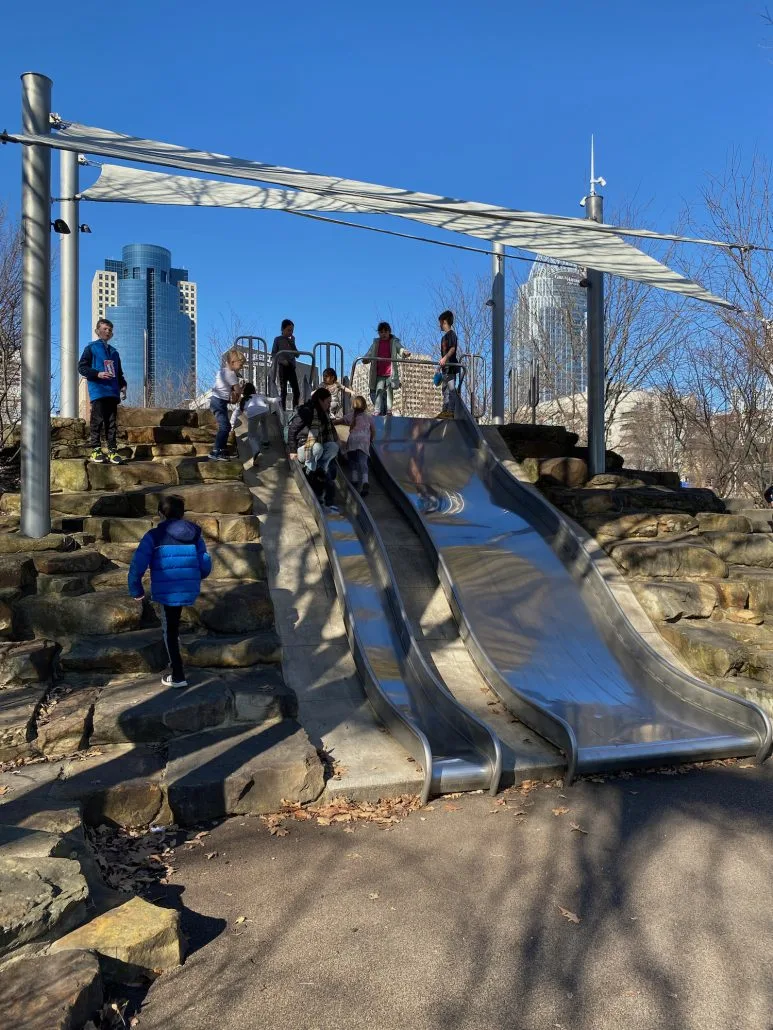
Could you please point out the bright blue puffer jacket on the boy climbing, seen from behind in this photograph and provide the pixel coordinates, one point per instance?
(178, 558)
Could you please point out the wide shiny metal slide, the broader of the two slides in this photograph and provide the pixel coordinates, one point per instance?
(558, 650)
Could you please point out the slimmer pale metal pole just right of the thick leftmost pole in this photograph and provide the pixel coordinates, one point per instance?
(70, 284)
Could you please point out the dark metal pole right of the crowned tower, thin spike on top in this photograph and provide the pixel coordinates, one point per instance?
(596, 381)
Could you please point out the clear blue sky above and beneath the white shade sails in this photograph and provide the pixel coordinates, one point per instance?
(493, 102)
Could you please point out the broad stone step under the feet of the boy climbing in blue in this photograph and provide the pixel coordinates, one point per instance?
(139, 711)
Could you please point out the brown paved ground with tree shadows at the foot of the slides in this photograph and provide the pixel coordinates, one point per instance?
(453, 920)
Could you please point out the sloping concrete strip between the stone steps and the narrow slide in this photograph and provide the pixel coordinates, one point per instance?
(318, 663)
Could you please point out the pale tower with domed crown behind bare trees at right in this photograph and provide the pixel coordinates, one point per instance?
(551, 325)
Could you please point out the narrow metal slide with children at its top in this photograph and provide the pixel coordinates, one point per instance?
(456, 751)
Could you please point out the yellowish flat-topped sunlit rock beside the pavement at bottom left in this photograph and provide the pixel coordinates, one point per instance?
(136, 938)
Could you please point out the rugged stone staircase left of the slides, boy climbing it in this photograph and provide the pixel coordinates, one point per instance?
(84, 718)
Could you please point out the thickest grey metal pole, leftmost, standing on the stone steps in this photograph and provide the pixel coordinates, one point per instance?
(37, 91)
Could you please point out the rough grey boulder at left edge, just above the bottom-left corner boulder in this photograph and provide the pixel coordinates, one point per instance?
(39, 897)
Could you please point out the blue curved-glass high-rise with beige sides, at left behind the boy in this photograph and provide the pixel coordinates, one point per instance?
(153, 308)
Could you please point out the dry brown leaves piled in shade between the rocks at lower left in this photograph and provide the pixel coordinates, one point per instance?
(133, 861)
